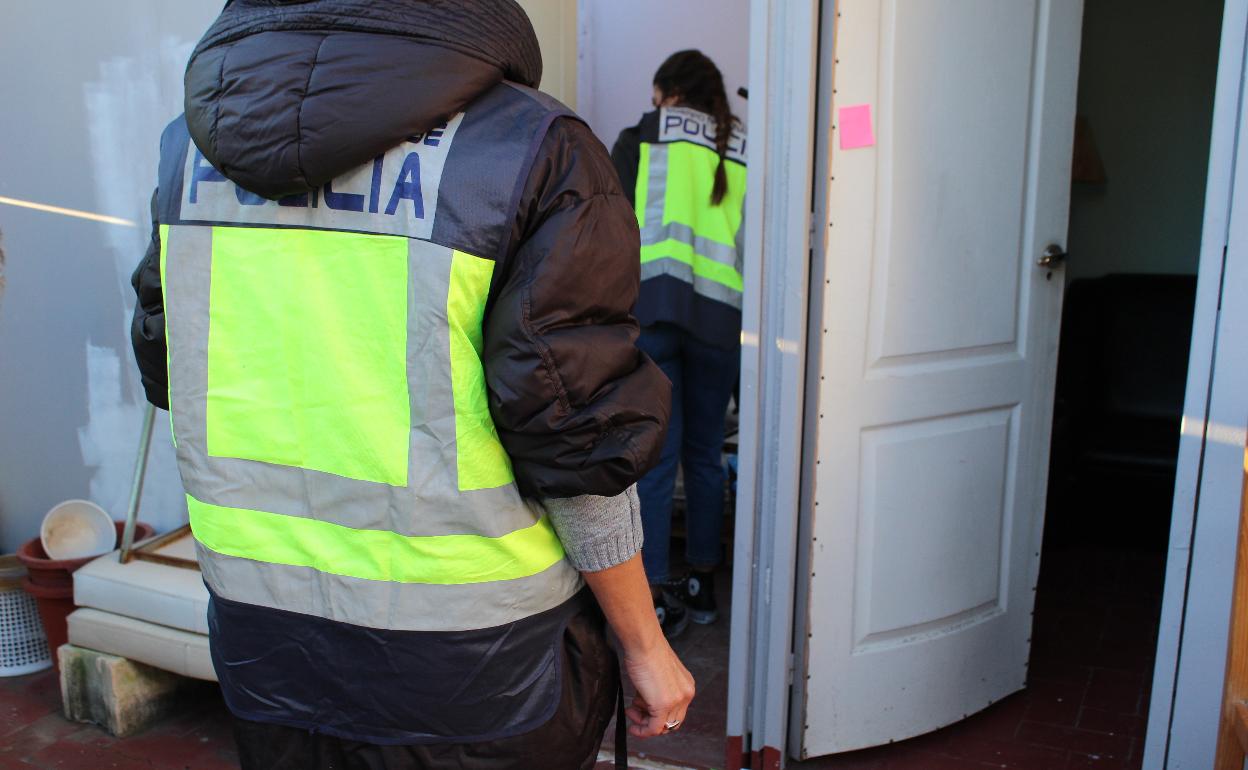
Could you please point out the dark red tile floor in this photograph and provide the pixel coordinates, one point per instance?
(1096, 622)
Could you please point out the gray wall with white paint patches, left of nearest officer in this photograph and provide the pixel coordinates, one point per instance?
(87, 89)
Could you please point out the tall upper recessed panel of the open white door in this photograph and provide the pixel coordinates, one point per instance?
(953, 177)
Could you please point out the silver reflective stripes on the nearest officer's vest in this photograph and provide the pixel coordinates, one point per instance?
(431, 505)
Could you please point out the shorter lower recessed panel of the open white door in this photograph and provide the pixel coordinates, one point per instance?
(932, 525)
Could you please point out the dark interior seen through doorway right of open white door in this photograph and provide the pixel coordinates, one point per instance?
(1138, 209)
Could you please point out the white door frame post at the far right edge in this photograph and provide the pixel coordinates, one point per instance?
(1192, 641)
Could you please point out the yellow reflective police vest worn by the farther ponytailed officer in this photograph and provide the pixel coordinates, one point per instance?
(691, 249)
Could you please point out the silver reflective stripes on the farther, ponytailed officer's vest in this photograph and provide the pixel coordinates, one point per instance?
(656, 231)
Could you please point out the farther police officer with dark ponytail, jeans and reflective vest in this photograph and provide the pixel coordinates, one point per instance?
(685, 167)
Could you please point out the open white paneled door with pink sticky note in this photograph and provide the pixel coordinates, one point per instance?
(939, 348)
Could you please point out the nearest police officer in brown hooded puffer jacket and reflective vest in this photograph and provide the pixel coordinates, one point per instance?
(388, 303)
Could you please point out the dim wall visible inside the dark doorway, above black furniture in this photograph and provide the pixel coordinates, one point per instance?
(1150, 105)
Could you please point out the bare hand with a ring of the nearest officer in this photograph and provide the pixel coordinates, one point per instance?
(665, 690)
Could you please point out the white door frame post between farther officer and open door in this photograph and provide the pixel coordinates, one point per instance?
(784, 41)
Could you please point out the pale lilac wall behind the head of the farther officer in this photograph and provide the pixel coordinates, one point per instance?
(622, 44)
